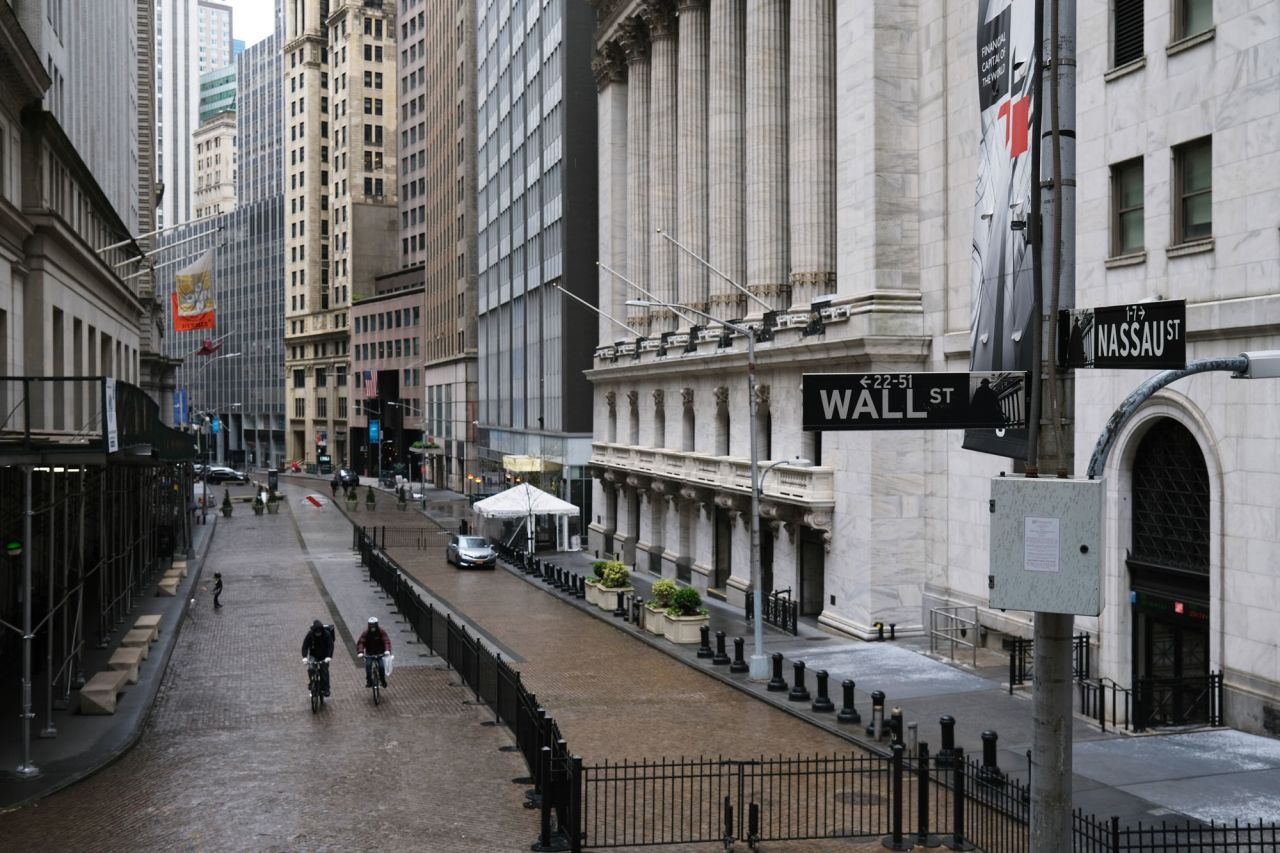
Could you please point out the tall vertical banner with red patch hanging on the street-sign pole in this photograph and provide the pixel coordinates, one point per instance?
(1004, 258)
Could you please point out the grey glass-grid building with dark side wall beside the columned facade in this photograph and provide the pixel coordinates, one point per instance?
(536, 122)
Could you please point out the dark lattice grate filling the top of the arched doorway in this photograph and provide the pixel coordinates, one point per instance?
(1171, 500)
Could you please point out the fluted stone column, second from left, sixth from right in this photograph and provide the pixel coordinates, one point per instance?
(636, 44)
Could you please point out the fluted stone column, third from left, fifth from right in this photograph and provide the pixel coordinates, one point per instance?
(660, 16)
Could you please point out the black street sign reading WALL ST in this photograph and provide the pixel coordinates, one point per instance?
(842, 402)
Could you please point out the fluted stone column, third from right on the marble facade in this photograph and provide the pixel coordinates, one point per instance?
(726, 154)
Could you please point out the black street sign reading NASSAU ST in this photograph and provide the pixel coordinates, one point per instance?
(1144, 335)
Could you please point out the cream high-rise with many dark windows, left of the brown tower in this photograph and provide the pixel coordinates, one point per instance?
(340, 77)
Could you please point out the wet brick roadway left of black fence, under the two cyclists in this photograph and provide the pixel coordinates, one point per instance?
(234, 759)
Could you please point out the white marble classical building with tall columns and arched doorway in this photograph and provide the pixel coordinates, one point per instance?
(824, 157)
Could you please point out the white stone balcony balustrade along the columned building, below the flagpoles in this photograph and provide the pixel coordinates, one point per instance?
(808, 486)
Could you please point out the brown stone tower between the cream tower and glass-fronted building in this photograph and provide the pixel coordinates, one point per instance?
(438, 220)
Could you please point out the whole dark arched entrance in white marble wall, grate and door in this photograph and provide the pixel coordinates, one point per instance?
(1169, 577)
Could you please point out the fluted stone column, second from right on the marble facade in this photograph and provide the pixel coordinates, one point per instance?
(767, 229)
